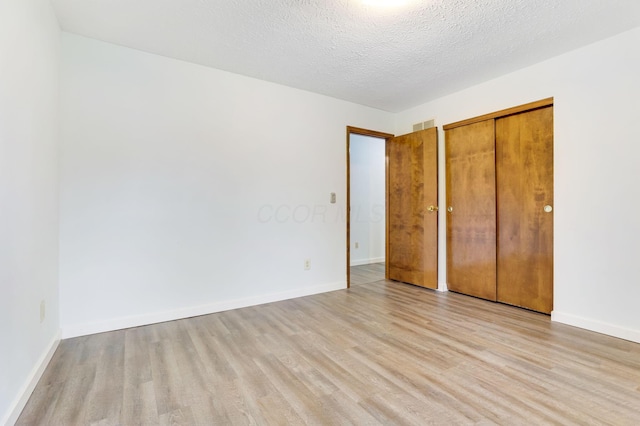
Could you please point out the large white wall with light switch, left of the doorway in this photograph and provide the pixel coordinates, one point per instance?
(187, 190)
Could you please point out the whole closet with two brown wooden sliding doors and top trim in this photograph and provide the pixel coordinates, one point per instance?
(499, 183)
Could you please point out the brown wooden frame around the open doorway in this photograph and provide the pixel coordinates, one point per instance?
(381, 135)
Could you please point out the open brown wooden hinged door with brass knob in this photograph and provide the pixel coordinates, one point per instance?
(412, 229)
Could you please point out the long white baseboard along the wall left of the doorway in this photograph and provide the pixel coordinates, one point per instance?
(76, 330)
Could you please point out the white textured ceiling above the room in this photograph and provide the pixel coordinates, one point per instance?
(391, 59)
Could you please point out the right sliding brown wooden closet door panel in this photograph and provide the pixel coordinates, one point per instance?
(524, 164)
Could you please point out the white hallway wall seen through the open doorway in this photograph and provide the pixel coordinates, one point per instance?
(367, 199)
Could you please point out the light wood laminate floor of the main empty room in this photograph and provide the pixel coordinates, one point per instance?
(381, 353)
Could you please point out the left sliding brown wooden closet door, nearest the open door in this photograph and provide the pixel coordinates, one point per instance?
(471, 209)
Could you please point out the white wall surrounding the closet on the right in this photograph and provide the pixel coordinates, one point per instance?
(597, 195)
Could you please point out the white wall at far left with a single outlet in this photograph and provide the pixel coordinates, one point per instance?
(29, 56)
